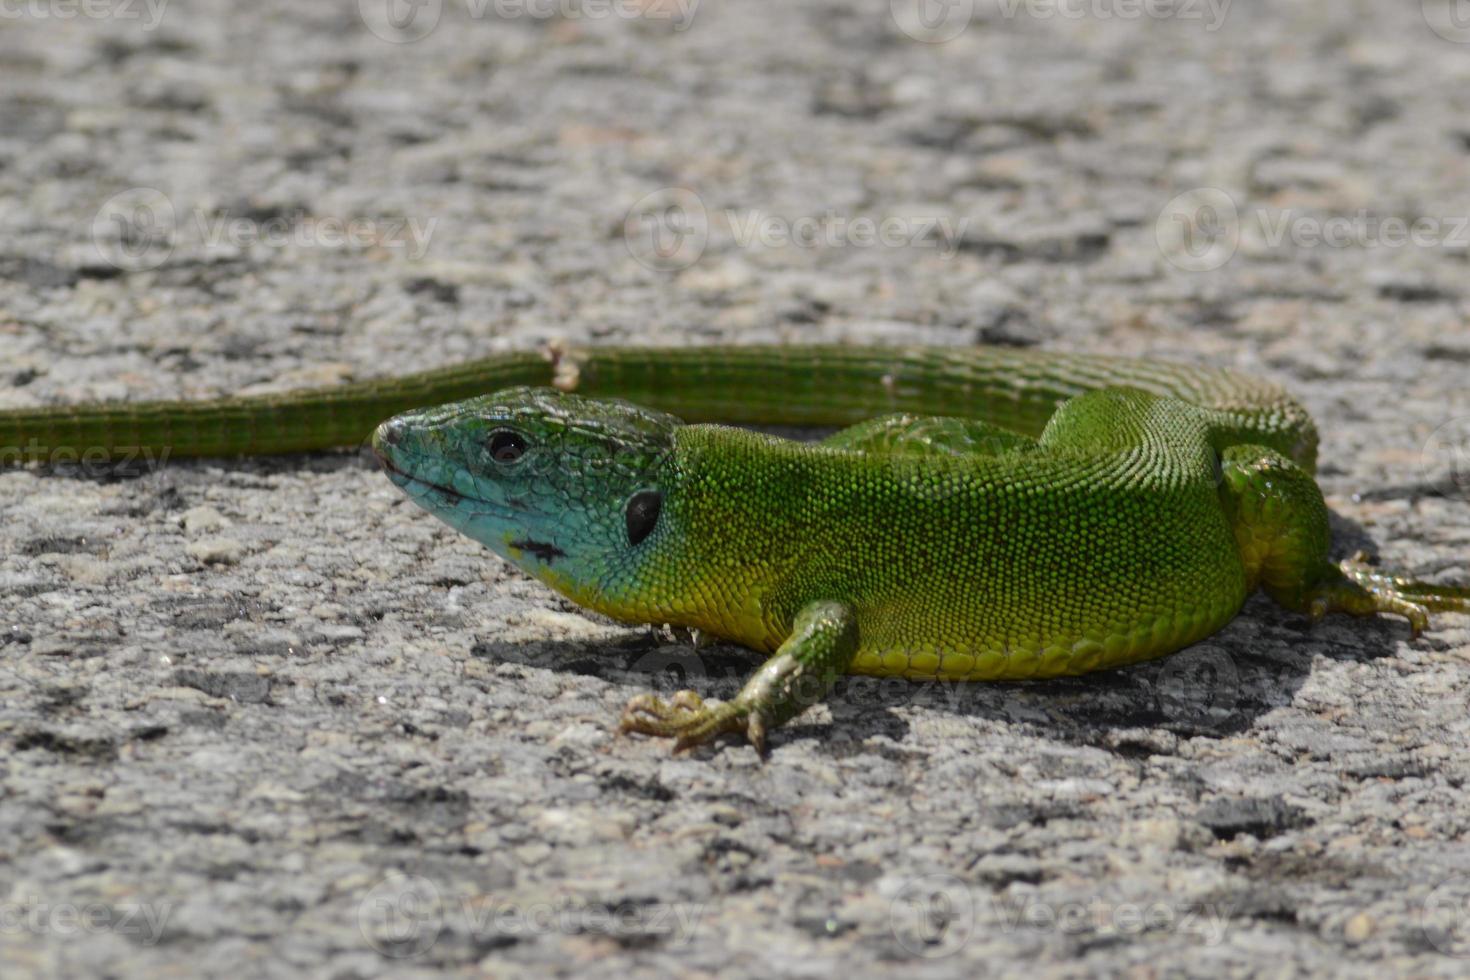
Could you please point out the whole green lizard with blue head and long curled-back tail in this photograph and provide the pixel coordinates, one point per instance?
(989, 515)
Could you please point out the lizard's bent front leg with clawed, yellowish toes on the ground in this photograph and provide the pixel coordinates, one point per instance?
(802, 672)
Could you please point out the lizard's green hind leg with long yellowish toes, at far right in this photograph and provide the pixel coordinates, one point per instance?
(1281, 527)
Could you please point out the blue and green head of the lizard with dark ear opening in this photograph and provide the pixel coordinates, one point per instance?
(567, 489)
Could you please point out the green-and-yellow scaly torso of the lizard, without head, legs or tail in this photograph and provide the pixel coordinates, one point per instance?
(1105, 546)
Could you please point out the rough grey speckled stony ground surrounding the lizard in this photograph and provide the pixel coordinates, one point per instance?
(267, 719)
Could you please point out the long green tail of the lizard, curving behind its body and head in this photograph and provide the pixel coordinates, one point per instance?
(753, 386)
